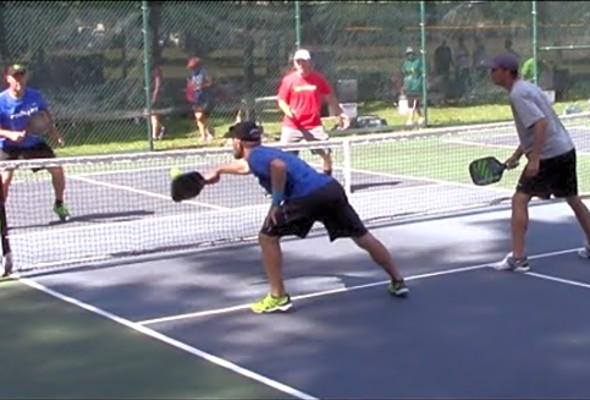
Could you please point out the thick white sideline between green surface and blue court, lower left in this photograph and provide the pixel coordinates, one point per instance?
(171, 342)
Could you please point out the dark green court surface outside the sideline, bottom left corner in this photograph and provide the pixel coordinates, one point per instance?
(55, 350)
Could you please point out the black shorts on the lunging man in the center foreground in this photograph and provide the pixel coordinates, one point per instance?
(328, 205)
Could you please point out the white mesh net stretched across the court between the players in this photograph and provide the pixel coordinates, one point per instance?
(121, 204)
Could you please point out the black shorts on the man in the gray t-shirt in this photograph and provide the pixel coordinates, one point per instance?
(557, 176)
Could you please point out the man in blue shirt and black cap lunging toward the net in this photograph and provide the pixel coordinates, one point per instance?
(301, 196)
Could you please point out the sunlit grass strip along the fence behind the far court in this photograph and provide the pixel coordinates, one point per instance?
(129, 136)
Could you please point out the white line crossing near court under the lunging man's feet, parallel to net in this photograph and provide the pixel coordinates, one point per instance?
(341, 290)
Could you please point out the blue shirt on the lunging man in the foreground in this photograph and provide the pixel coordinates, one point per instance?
(301, 180)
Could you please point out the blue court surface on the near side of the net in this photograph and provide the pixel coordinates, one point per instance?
(465, 331)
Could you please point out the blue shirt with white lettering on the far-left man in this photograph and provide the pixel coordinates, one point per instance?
(14, 114)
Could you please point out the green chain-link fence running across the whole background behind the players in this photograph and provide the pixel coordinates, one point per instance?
(95, 62)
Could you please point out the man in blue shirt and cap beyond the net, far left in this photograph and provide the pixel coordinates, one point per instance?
(17, 104)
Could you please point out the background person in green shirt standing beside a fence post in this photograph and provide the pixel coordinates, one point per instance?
(412, 88)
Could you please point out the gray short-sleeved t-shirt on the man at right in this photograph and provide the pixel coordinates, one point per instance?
(529, 104)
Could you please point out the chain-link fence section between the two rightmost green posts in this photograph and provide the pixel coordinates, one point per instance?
(461, 36)
